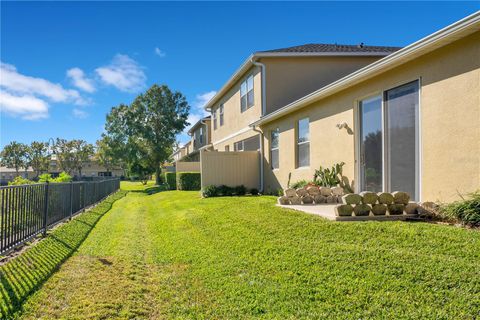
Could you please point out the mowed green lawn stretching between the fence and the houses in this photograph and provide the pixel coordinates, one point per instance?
(175, 255)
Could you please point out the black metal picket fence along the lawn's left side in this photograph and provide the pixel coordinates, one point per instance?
(27, 210)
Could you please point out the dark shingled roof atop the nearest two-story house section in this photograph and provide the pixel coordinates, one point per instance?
(334, 48)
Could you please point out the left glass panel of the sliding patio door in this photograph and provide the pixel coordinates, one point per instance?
(371, 169)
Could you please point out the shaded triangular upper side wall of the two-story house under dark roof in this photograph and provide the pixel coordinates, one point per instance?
(290, 78)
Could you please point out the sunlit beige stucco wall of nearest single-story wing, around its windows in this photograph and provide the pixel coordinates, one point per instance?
(449, 123)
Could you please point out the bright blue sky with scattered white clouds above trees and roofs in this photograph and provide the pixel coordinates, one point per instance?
(64, 65)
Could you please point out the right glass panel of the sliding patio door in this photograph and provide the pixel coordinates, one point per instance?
(401, 107)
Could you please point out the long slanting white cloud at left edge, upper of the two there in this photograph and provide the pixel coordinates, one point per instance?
(20, 84)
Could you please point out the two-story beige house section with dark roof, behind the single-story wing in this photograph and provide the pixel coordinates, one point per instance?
(267, 80)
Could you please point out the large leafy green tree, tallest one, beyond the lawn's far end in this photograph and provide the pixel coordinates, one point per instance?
(148, 127)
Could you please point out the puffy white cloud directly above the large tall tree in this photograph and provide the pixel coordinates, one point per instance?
(123, 73)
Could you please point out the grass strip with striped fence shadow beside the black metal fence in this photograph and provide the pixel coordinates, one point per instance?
(25, 274)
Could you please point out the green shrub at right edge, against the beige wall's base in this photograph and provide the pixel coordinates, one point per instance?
(466, 210)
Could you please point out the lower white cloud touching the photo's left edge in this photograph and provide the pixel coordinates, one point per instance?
(27, 107)
